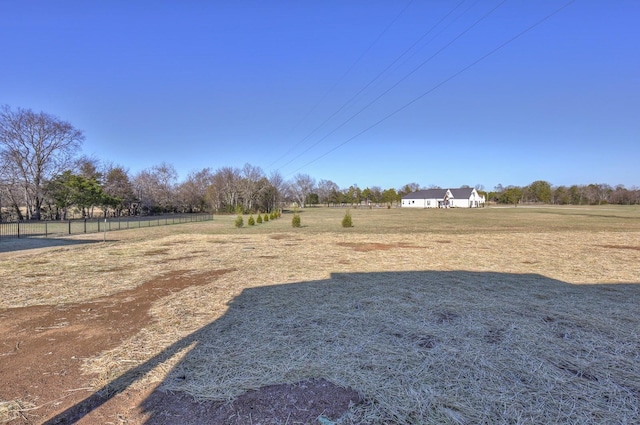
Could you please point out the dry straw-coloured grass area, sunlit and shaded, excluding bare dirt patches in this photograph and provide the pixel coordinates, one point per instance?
(495, 315)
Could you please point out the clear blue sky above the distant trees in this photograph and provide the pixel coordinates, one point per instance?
(359, 92)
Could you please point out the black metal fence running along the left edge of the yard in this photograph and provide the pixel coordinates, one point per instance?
(43, 229)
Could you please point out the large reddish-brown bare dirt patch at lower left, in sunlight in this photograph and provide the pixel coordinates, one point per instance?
(42, 347)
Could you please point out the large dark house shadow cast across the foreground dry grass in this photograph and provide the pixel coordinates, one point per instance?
(419, 347)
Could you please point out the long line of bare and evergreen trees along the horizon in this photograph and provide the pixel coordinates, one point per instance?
(43, 176)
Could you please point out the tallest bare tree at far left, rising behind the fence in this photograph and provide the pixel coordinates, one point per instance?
(38, 146)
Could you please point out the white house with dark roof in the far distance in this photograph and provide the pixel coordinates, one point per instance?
(444, 198)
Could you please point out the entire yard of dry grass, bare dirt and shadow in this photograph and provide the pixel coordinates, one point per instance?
(494, 315)
